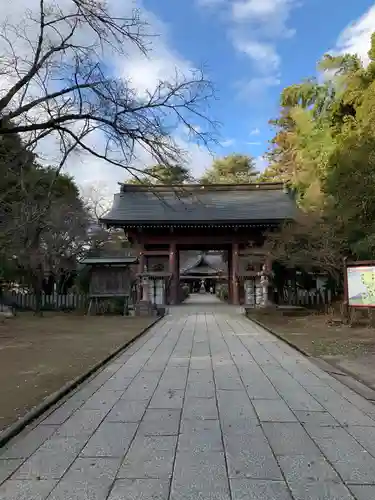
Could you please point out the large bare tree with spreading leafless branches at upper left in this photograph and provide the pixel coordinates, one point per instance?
(58, 81)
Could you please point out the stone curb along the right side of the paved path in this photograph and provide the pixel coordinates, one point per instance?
(350, 376)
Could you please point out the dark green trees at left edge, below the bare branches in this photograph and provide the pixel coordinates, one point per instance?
(43, 221)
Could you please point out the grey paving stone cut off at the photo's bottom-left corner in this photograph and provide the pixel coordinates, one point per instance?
(26, 490)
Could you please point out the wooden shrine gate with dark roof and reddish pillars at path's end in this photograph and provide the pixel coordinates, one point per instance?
(163, 222)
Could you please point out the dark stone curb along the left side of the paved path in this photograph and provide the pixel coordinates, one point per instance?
(15, 428)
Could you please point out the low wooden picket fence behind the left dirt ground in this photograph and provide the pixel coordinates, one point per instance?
(55, 302)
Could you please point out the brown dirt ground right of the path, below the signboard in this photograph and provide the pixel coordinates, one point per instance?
(350, 348)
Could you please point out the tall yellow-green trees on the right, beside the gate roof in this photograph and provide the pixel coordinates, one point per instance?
(324, 146)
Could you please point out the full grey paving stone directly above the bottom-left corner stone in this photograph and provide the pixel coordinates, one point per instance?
(51, 460)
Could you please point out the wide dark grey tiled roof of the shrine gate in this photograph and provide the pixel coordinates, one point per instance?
(196, 203)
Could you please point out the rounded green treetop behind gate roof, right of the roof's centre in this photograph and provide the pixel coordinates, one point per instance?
(232, 169)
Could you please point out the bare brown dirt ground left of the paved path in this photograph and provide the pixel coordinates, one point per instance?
(38, 355)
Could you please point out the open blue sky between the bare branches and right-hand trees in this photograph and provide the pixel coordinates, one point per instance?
(253, 48)
